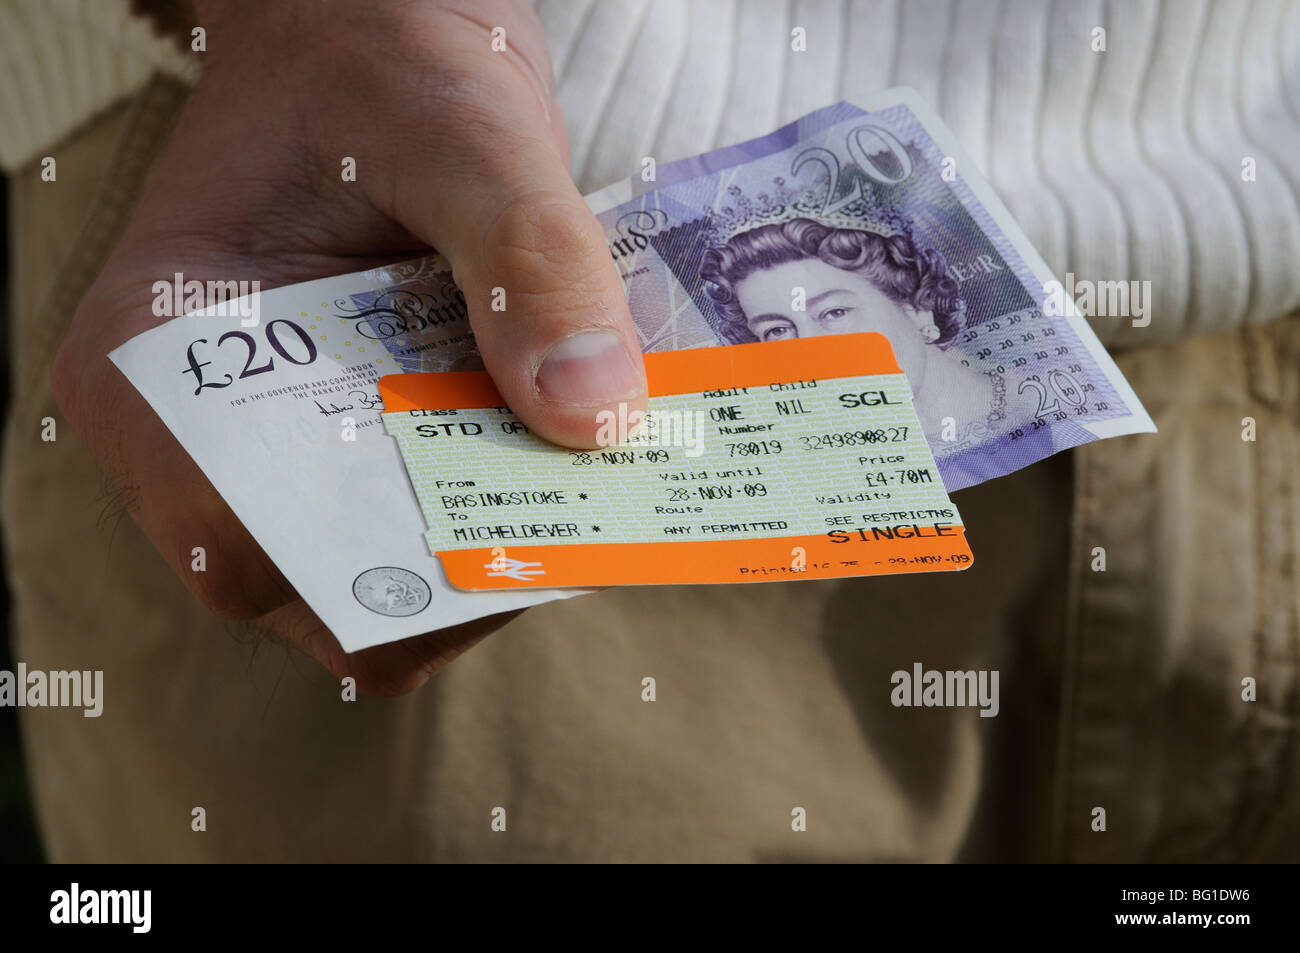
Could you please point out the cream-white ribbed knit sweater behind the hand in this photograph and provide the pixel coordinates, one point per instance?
(1121, 166)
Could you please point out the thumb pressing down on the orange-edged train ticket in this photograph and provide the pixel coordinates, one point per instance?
(544, 296)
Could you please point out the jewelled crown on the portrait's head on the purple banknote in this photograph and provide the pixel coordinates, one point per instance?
(783, 203)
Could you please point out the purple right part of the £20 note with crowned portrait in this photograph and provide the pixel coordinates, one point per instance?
(874, 220)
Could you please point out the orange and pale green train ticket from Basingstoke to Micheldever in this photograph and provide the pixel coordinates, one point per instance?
(755, 463)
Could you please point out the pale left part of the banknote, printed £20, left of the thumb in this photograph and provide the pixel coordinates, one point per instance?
(283, 415)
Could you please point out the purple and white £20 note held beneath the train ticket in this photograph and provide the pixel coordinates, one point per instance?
(850, 220)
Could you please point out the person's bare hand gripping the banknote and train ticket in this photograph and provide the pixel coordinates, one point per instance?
(457, 148)
